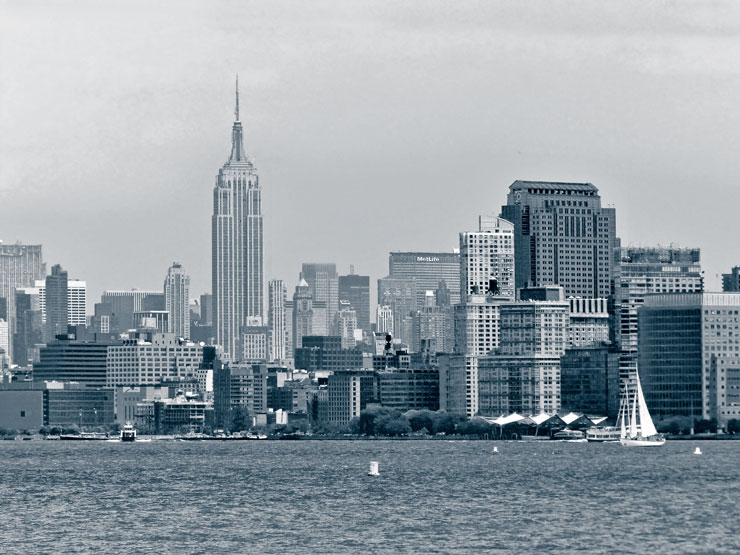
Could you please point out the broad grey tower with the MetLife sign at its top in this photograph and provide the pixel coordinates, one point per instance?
(427, 269)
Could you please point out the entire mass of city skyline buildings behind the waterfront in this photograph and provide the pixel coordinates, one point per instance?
(538, 310)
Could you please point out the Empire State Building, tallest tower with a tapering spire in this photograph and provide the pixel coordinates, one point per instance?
(237, 270)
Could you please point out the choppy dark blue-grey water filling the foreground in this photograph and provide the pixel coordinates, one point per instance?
(316, 497)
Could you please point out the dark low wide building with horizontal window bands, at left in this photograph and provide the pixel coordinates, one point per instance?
(70, 360)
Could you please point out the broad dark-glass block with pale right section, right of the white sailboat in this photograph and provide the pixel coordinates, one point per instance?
(689, 355)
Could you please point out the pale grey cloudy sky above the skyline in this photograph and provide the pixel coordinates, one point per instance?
(375, 126)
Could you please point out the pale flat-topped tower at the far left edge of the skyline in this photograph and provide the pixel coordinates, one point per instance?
(20, 266)
